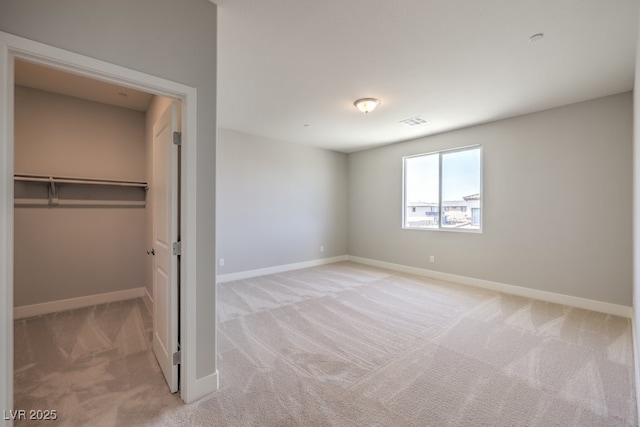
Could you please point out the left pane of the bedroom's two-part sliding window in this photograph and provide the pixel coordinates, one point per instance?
(421, 191)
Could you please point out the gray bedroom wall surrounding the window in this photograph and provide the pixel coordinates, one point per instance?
(556, 210)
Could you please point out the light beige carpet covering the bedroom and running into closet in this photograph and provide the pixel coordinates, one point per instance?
(351, 345)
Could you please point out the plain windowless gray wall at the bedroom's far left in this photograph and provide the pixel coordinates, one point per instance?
(278, 202)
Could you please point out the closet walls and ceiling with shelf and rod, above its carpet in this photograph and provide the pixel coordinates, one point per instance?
(82, 217)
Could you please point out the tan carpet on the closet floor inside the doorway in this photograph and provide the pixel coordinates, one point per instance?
(94, 366)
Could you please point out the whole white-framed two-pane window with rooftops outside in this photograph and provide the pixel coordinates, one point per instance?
(443, 190)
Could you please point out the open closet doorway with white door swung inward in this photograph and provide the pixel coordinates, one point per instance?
(86, 152)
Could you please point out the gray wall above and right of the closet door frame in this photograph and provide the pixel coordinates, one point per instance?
(172, 39)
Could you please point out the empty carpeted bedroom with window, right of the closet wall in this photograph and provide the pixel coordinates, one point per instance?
(459, 255)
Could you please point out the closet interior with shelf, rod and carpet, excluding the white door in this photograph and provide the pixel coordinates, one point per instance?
(83, 220)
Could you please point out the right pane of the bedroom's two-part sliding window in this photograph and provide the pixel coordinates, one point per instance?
(461, 189)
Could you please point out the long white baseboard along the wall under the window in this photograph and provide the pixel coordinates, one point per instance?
(587, 304)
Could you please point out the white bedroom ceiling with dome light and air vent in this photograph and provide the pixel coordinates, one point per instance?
(291, 69)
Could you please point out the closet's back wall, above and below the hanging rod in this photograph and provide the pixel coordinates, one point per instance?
(69, 252)
